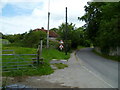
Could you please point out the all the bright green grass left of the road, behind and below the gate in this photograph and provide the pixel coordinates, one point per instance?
(44, 69)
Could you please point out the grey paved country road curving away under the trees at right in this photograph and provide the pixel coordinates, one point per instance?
(106, 70)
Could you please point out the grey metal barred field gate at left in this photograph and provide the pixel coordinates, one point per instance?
(14, 61)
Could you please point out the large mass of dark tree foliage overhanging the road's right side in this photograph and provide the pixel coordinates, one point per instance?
(102, 24)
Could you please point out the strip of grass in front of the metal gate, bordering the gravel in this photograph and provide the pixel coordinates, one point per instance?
(44, 69)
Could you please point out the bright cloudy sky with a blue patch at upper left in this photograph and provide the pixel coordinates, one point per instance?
(19, 16)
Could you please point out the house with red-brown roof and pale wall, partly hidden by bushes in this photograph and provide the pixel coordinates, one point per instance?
(52, 34)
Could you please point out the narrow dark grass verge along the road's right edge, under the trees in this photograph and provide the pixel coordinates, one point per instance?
(114, 58)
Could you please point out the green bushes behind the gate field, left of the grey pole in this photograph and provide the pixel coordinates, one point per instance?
(30, 39)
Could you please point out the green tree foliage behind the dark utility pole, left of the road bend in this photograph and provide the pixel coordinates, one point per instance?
(73, 36)
